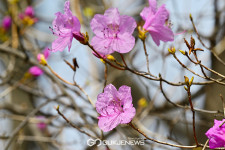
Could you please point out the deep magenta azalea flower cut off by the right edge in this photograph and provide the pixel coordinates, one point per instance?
(216, 135)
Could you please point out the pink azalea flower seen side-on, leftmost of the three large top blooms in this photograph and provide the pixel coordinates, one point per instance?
(66, 26)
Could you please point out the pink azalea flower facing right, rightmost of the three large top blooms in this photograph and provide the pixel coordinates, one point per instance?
(155, 22)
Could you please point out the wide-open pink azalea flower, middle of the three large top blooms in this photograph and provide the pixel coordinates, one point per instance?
(113, 32)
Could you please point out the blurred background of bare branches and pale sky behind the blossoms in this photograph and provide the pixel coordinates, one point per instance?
(28, 118)
